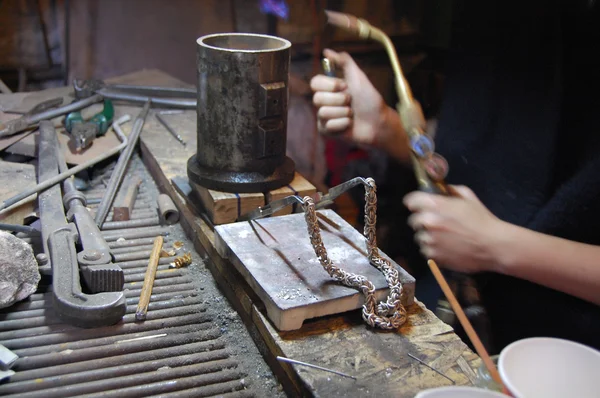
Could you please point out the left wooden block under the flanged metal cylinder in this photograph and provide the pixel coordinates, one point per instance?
(224, 207)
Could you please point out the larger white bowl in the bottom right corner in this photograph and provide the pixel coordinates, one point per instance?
(549, 368)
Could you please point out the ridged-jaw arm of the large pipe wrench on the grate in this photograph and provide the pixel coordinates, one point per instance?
(99, 274)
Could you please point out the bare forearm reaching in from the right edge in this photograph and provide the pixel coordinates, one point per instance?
(567, 266)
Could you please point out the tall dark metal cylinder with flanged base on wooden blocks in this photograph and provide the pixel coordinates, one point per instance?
(242, 113)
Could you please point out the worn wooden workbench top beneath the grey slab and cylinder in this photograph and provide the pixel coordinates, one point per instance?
(343, 342)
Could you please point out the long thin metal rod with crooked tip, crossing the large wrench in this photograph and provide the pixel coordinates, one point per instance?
(62, 176)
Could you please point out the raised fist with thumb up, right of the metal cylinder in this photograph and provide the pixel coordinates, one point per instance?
(353, 109)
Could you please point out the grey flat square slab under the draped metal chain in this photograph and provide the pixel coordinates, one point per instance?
(277, 260)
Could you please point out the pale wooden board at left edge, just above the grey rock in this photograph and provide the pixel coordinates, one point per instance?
(14, 178)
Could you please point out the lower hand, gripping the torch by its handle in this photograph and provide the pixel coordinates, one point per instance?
(458, 231)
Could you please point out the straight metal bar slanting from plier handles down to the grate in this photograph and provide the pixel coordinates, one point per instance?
(117, 176)
